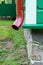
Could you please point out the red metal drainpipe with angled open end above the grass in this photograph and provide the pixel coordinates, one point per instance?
(19, 15)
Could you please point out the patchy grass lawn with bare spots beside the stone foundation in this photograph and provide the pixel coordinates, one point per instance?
(12, 44)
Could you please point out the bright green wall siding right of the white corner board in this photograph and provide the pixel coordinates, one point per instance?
(39, 12)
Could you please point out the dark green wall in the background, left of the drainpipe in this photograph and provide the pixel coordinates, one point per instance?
(8, 9)
